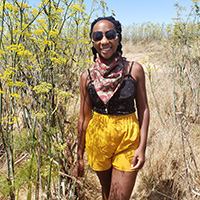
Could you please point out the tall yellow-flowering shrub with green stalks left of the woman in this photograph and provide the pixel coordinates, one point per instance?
(43, 50)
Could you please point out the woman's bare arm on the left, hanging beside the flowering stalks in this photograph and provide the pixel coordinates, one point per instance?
(84, 118)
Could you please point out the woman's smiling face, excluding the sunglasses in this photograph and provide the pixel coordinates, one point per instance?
(105, 47)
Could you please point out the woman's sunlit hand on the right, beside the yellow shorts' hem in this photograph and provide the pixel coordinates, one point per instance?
(138, 159)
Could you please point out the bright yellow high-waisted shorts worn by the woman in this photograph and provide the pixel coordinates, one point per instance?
(111, 141)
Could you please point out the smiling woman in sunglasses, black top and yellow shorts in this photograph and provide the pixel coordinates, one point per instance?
(114, 139)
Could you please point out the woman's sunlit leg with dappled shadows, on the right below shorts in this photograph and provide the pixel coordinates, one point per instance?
(122, 184)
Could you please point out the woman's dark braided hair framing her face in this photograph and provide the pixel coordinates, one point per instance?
(118, 29)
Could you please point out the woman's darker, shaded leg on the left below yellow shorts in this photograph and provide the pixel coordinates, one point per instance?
(105, 180)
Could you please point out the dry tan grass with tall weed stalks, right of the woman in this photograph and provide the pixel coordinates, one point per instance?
(172, 69)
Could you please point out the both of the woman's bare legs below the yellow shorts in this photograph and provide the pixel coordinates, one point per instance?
(116, 184)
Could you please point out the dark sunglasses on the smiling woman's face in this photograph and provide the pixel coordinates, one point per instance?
(98, 35)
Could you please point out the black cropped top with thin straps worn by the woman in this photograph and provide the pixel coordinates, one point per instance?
(121, 103)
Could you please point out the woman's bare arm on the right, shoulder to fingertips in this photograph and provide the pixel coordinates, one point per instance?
(143, 116)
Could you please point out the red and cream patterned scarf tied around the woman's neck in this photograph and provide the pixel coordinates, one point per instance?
(108, 77)
